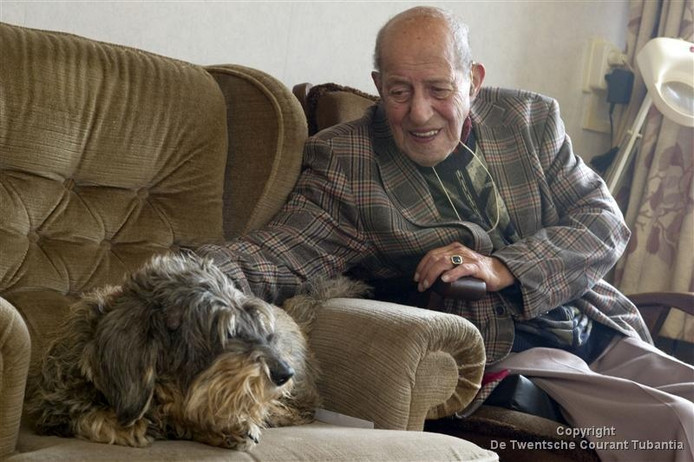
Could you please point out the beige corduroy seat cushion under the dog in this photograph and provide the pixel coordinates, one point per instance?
(314, 442)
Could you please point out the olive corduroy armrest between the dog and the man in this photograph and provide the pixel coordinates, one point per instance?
(395, 365)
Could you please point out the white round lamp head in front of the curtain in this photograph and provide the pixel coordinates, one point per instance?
(667, 68)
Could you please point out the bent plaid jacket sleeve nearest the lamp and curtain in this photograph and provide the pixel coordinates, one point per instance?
(583, 231)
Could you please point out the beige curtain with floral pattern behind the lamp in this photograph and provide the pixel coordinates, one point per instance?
(659, 197)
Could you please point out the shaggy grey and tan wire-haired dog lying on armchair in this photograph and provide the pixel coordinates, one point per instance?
(175, 352)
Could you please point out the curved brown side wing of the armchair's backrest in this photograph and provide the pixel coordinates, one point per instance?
(267, 132)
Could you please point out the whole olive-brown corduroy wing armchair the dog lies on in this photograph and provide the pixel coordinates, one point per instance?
(109, 155)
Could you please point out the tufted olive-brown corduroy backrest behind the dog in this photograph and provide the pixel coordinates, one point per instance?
(109, 155)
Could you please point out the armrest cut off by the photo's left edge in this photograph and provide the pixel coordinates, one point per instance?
(15, 352)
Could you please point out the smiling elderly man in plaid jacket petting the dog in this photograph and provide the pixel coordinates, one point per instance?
(445, 179)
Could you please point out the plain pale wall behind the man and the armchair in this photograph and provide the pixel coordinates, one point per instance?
(537, 45)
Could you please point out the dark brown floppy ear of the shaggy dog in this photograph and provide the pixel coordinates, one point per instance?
(126, 358)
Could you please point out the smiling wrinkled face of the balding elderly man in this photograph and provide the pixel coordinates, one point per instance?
(426, 96)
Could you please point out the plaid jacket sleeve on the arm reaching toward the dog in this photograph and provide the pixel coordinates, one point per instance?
(315, 235)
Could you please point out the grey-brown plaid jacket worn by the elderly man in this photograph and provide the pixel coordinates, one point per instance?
(361, 204)
